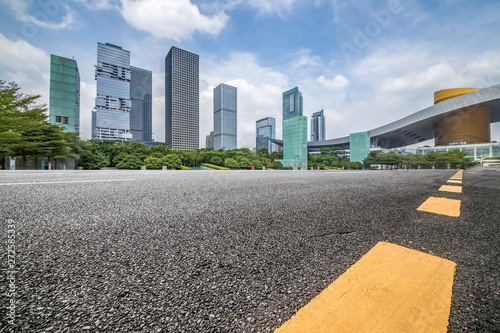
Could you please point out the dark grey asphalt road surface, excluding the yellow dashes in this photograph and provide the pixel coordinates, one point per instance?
(228, 251)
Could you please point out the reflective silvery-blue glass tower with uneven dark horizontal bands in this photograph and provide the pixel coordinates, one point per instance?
(111, 117)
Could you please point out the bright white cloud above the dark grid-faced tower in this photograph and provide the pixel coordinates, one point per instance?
(173, 19)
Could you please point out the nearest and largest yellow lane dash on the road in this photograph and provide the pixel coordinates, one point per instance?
(390, 289)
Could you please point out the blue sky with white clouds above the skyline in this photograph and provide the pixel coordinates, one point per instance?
(366, 63)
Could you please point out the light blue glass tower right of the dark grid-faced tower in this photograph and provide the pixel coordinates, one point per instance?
(225, 117)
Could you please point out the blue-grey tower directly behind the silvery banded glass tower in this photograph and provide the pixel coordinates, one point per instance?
(141, 86)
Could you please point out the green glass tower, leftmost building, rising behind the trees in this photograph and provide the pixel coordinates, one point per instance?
(64, 95)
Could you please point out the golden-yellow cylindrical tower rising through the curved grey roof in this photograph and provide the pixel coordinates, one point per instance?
(470, 126)
